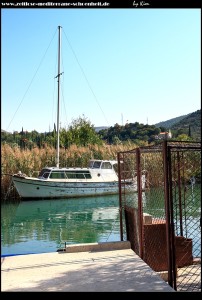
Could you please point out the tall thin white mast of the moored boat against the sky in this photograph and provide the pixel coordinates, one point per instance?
(58, 103)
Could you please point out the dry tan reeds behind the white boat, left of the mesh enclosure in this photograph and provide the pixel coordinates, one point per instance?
(30, 162)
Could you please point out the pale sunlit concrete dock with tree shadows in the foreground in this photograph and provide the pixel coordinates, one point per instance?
(102, 267)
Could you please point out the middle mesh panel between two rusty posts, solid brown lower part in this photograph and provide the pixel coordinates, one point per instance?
(154, 216)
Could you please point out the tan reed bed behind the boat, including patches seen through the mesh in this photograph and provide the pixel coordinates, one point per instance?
(30, 162)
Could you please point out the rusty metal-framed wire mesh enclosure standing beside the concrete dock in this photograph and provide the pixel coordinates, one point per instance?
(162, 220)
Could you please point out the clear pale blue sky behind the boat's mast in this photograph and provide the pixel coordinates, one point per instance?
(120, 65)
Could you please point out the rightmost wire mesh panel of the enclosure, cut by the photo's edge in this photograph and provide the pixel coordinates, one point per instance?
(185, 204)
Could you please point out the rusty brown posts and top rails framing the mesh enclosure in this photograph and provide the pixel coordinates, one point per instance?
(167, 148)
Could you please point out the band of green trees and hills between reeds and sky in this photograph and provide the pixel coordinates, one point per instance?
(82, 133)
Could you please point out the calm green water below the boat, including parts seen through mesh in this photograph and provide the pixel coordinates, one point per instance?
(46, 225)
